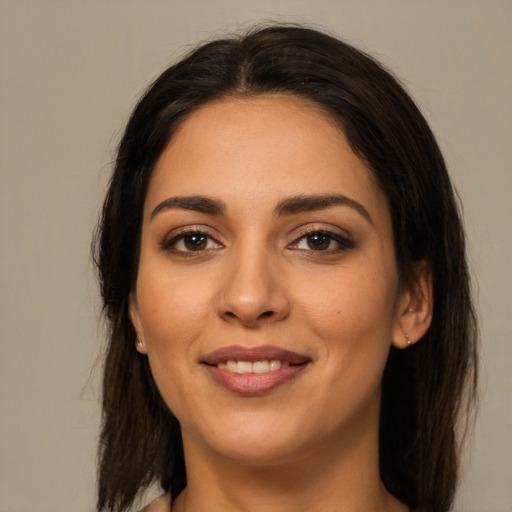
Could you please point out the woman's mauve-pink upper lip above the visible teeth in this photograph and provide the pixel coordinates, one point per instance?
(252, 354)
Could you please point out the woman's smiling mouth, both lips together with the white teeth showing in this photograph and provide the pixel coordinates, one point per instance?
(254, 371)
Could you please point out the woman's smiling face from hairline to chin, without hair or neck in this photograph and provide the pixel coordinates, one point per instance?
(267, 293)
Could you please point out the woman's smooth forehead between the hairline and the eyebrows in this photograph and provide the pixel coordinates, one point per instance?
(261, 149)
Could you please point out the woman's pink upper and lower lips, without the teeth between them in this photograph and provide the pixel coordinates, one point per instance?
(254, 384)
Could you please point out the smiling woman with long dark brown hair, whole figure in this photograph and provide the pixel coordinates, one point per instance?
(283, 270)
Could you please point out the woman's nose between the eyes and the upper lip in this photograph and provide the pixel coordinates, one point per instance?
(253, 292)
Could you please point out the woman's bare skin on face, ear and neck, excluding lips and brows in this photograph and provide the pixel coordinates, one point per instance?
(312, 443)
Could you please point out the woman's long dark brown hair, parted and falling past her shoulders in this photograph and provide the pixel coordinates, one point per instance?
(425, 386)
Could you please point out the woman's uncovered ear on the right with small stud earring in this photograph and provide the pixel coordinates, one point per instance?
(414, 307)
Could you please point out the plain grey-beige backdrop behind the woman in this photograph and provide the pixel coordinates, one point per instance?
(70, 71)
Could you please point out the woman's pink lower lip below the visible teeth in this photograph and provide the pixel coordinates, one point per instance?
(253, 384)
